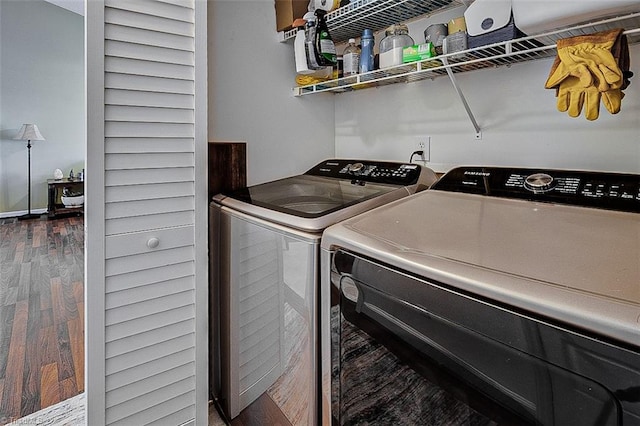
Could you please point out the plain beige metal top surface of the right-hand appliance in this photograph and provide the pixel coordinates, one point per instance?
(577, 265)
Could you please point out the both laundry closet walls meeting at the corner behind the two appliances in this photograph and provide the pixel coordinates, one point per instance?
(251, 76)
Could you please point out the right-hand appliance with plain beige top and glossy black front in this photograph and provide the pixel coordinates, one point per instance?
(489, 266)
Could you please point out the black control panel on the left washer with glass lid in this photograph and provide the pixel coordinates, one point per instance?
(369, 171)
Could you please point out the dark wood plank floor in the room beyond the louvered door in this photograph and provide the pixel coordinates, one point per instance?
(41, 314)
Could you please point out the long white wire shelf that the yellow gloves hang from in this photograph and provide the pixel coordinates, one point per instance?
(494, 55)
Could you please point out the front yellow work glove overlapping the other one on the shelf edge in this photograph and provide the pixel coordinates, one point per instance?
(589, 59)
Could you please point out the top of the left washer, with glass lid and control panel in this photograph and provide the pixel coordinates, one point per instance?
(331, 191)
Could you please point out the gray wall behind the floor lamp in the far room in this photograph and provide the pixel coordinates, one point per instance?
(41, 82)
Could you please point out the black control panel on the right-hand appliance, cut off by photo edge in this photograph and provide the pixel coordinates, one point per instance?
(613, 191)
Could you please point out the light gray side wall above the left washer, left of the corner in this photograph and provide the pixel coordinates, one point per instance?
(250, 98)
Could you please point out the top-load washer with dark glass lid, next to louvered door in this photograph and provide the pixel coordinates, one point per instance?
(265, 245)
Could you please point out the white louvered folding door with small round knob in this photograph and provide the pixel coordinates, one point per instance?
(146, 212)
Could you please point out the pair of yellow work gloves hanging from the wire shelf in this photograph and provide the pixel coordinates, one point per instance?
(589, 69)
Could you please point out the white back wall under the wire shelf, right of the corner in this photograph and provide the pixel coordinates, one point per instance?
(518, 116)
